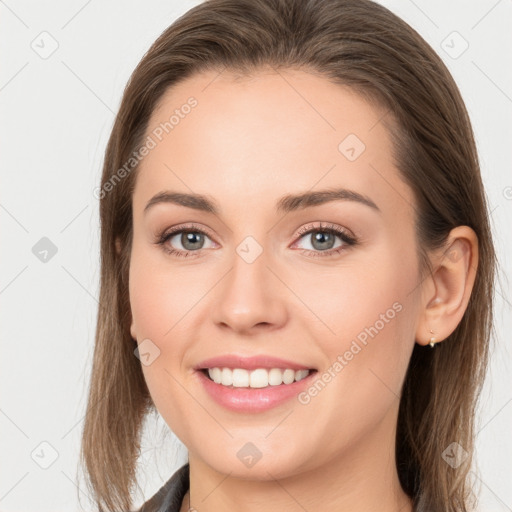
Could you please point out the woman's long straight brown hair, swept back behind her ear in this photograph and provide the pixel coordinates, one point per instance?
(356, 43)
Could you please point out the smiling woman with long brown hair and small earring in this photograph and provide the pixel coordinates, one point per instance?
(297, 268)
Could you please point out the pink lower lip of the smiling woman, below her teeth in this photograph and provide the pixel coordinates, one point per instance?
(253, 399)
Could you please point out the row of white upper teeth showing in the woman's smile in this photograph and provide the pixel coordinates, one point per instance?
(260, 378)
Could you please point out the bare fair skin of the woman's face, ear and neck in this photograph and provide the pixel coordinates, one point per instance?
(249, 142)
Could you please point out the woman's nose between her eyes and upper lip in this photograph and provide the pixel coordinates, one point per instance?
(251, 298)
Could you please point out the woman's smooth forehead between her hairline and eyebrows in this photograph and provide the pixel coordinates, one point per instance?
(248, 140)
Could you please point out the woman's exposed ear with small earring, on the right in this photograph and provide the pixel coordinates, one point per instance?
(446, 291)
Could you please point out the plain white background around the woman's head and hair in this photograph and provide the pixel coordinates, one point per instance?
(56, 115)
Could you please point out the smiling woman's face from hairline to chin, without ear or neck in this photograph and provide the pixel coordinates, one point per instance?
(328, 285)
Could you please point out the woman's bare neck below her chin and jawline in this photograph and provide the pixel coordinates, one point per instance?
(362, 478)
